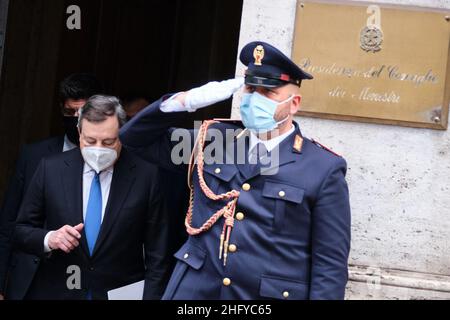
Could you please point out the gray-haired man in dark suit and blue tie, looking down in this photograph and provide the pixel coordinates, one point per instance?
(96, 210)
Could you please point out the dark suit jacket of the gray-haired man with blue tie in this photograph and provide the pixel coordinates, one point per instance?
(133, 238)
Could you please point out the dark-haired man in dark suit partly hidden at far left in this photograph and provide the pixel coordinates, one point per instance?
(17, 268)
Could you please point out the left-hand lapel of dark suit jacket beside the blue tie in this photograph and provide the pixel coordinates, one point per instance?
(72, 180)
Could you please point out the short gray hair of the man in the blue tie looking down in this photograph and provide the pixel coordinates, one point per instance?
(99, 107)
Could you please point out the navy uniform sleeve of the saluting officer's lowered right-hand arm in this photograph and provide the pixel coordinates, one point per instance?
(331, 236)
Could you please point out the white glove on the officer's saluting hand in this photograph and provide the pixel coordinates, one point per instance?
(211, 93)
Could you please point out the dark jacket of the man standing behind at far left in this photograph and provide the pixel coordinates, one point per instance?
(18, 267)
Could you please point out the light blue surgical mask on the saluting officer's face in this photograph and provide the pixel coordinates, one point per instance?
(258, 111)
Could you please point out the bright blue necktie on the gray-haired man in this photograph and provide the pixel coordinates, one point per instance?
(93, 218)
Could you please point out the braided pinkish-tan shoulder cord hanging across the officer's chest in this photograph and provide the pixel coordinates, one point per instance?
(227, 211)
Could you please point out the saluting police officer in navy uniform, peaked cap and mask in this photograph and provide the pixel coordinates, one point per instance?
(274, 223)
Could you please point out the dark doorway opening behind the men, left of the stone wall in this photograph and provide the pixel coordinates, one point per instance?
(133, 46)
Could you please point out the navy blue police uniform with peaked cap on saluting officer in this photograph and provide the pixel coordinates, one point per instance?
(291, 232)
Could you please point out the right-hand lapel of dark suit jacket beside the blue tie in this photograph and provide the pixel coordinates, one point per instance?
(122, 181)
